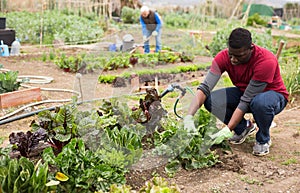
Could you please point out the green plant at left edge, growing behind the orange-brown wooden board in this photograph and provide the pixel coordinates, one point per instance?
(8, 81)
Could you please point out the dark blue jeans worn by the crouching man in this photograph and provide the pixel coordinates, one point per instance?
(263, 106)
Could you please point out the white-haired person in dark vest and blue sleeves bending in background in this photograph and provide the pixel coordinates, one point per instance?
(151, 25)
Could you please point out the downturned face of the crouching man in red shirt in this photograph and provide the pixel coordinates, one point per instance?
(240, 55)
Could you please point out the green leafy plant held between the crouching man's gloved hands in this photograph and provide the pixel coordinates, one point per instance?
(189, 153)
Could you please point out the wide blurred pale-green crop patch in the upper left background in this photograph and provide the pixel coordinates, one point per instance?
(63, 26)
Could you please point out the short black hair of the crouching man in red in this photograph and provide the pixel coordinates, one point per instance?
(239, 38)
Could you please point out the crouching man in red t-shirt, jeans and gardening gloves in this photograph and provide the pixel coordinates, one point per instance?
(258, 89)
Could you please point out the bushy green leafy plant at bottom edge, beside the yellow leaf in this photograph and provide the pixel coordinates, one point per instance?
(86, 170)
